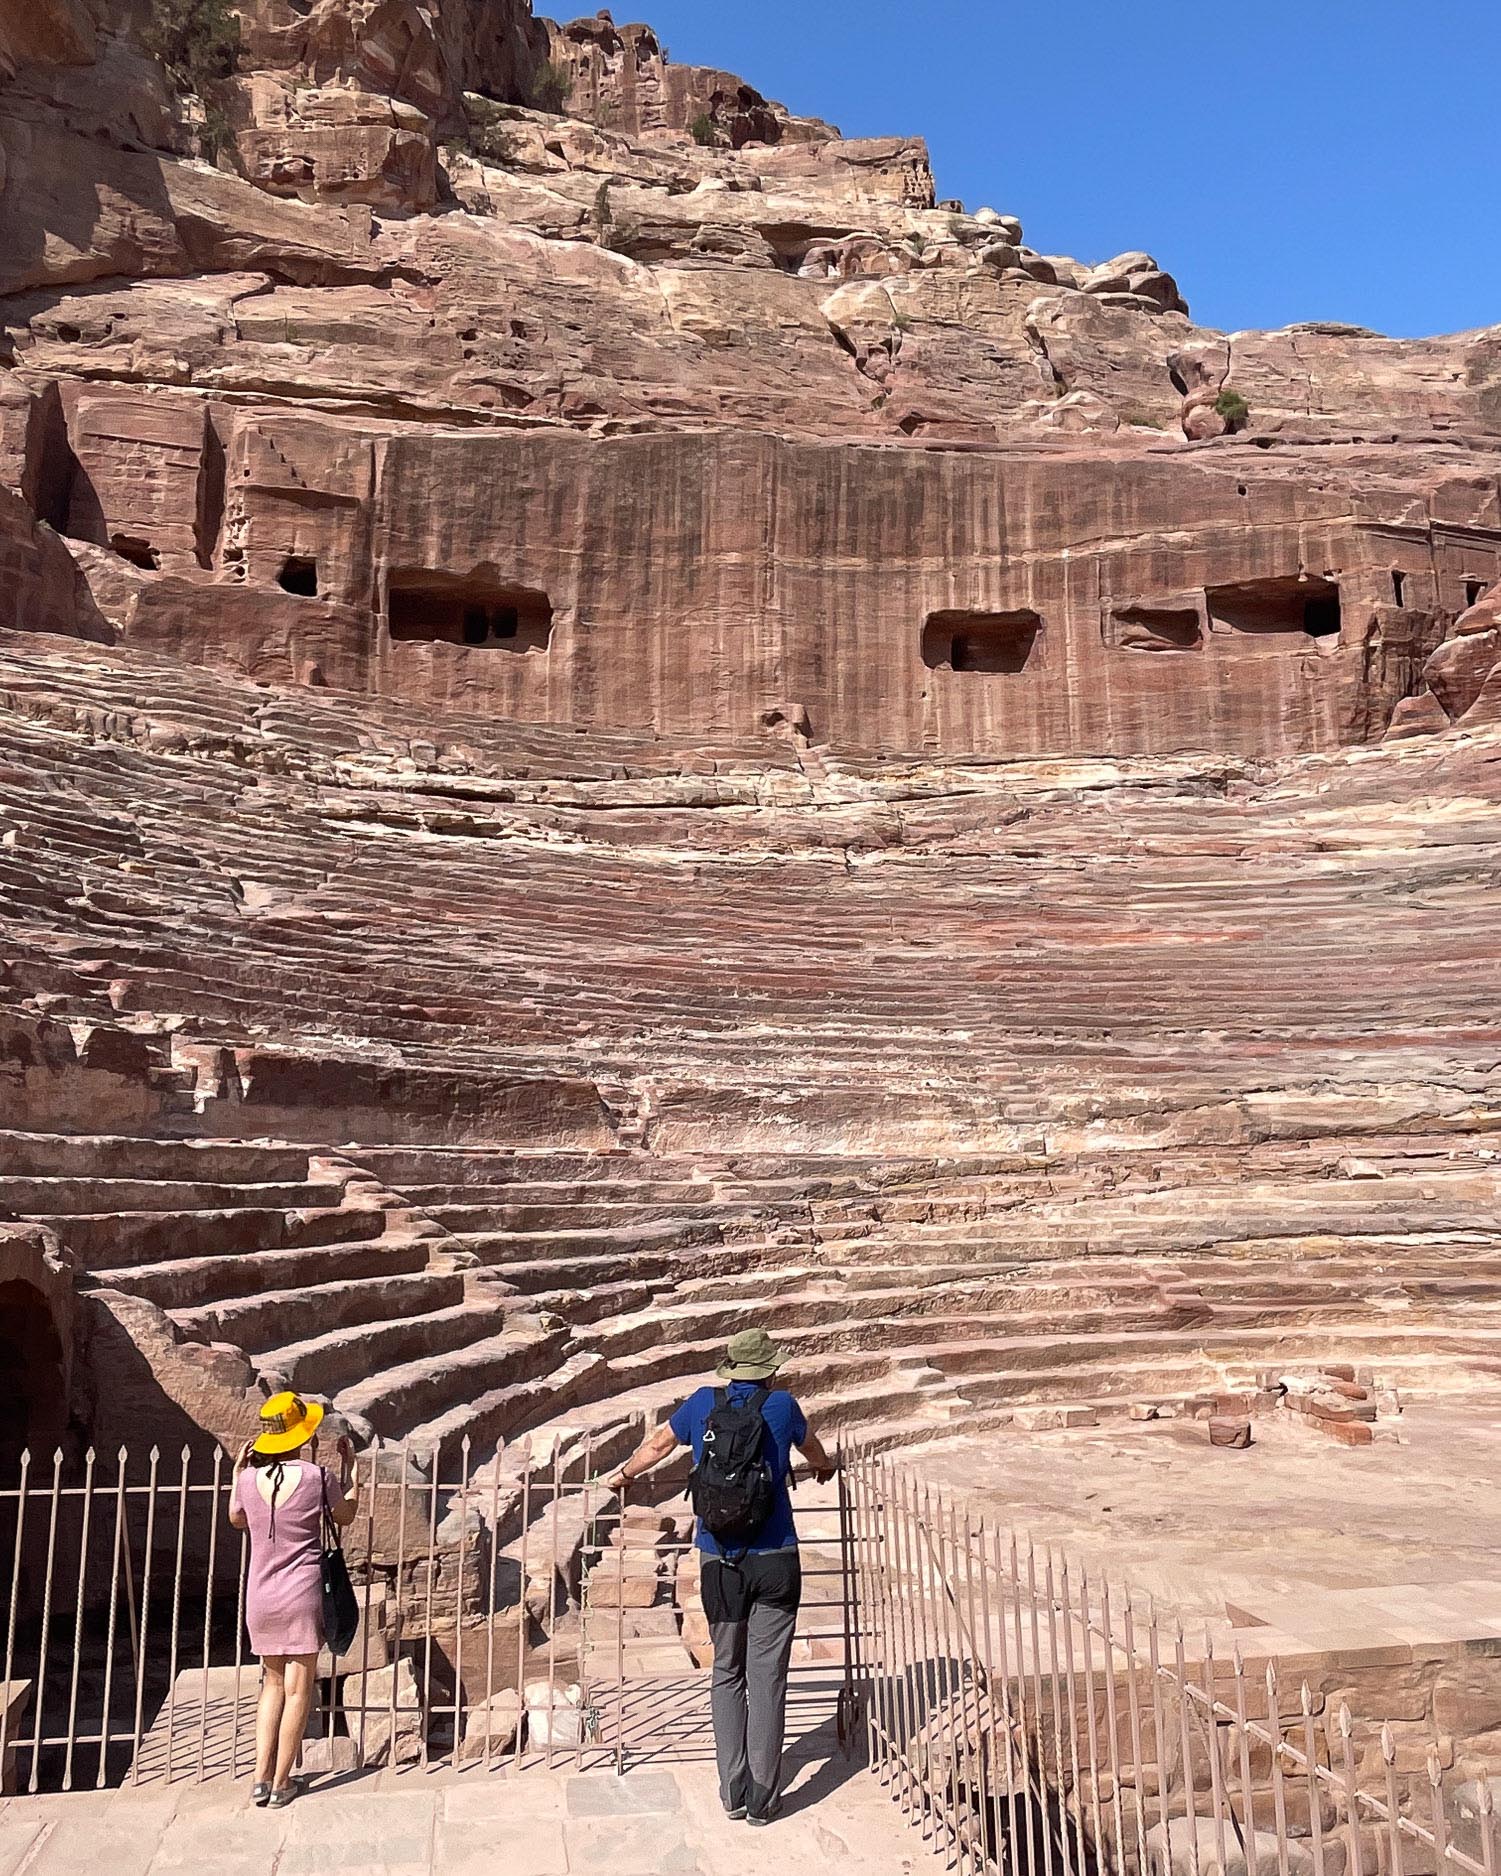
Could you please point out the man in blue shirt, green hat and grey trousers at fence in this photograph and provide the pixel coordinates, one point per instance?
(751, 1592)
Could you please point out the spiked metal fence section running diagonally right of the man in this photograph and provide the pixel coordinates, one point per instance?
(1035, 1721)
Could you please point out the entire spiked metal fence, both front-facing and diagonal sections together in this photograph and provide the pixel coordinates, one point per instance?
(1025, 1716)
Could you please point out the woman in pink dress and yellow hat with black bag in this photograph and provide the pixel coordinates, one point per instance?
(279, 1498)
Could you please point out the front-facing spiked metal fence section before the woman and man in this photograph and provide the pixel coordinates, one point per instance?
(509, 1614)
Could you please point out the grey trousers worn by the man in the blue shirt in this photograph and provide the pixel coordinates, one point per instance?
(751, 1609)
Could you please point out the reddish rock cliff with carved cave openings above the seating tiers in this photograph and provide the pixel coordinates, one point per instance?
(663, 406)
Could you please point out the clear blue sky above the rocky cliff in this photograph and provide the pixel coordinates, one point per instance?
(1318, 160)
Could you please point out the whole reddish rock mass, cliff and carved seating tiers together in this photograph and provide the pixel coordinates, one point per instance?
(613, 716)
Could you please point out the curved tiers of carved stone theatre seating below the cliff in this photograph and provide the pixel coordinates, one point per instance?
(481, 1078)
